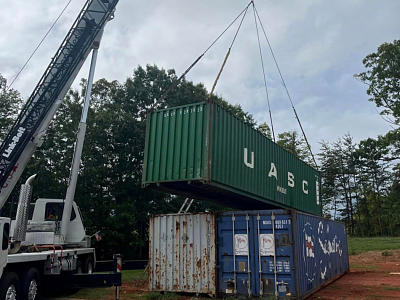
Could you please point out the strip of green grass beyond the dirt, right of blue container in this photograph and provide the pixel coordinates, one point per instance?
(360, 245)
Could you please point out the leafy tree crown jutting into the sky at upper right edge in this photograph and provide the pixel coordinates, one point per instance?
(383, 78)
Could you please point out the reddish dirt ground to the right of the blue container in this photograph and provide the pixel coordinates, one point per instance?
(373, 275)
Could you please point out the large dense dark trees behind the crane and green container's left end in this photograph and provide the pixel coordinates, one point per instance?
(109, 190)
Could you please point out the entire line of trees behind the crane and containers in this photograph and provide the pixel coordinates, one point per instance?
(360, 180)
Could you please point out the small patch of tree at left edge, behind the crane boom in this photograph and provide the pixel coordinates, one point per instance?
(10, 104)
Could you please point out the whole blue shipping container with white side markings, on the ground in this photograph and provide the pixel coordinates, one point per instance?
(277, 252)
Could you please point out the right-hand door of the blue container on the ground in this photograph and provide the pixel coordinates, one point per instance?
(274, 255)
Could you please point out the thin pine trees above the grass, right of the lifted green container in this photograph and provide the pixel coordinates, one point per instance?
(360, 187)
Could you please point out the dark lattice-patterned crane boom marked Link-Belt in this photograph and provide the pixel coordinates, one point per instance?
(28, 130)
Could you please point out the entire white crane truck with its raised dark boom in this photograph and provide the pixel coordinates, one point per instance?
(52, 244)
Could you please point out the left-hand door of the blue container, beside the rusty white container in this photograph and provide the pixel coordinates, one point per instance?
(236, 262)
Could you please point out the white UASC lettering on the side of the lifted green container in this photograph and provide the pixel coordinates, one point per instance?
(273, 172)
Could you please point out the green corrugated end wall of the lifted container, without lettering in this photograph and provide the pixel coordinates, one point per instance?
(176, 144)
